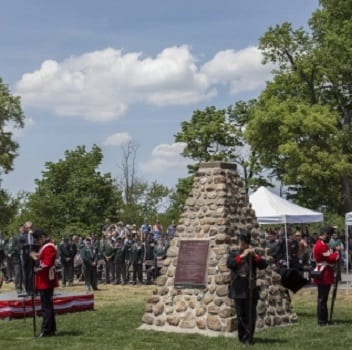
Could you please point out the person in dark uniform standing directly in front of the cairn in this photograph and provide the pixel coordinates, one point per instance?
(243, 264)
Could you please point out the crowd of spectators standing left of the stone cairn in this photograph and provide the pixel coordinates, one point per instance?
(121, 254)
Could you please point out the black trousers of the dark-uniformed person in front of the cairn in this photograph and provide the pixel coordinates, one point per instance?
(245, 330)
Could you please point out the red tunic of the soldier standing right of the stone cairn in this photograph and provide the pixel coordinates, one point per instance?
(325, 260)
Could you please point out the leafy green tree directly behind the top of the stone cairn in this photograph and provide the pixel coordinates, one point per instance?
(218, 134)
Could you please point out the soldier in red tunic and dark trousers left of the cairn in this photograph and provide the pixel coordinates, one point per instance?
(46, 280)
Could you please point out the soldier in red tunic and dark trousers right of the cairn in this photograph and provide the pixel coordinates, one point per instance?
(325, 259)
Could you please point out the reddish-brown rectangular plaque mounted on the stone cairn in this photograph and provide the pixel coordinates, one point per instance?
(192, 264)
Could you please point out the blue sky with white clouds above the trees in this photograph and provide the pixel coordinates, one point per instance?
(109, 72)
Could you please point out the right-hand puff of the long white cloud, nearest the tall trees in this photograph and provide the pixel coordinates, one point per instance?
(242, 70)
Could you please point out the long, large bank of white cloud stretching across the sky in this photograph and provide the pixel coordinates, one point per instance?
(101, 85)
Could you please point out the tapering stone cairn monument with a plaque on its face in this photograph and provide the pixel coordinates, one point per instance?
(191, 293)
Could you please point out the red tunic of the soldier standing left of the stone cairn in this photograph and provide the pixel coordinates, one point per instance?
(46, 277)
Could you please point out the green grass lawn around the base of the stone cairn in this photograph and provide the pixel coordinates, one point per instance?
(119, 310)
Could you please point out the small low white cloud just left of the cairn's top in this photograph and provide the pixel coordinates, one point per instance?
(165, 157)
